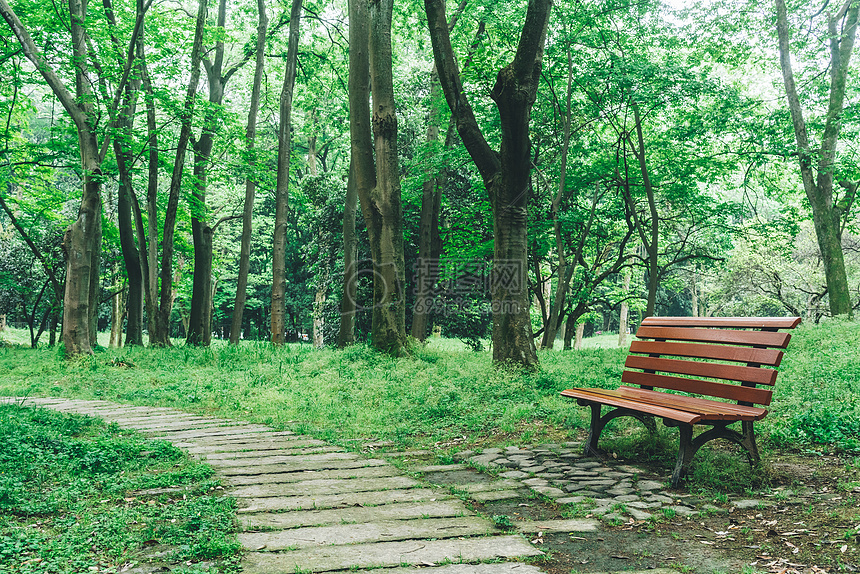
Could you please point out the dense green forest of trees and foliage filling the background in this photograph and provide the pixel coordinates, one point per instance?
(523, 172)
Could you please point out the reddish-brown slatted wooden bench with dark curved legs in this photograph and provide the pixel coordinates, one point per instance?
(725, 368)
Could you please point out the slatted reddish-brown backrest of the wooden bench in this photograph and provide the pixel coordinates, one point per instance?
(734, 355)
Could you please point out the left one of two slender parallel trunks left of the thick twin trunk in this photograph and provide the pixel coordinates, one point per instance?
(250, 182)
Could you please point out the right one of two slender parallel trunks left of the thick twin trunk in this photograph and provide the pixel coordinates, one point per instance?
(282, 191)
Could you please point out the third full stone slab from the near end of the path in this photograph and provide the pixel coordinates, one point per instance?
(353, 515)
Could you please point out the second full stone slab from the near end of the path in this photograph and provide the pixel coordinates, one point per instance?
(388, 530)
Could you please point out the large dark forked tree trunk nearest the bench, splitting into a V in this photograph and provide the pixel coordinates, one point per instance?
(506, 173)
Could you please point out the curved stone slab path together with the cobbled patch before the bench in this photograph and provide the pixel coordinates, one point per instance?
(307, 506)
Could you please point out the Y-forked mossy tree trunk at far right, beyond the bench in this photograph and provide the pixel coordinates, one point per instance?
(826, 213)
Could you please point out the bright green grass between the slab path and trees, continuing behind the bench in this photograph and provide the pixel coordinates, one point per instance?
(443, 396)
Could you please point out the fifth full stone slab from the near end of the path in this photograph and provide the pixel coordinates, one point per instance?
(323, 487)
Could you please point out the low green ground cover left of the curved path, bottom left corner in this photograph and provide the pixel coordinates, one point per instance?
(77, 495)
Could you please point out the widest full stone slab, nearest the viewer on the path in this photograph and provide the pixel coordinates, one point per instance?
(382, 554)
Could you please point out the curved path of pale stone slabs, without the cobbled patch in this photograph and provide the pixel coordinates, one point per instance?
(307, 506)
